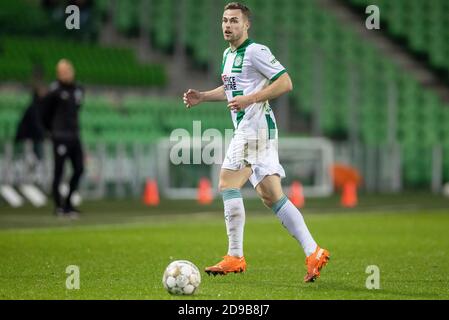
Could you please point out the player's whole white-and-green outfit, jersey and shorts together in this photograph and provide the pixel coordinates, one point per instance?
(247, 70)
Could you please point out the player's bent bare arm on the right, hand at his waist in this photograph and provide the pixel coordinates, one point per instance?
(280, 86)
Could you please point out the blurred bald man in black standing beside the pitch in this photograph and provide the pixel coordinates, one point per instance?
(60, 115)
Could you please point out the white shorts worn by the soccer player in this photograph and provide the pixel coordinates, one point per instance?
(258, 150)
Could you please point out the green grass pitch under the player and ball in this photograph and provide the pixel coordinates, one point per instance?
(122, 249)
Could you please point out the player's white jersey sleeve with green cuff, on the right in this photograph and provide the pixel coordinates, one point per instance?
(266, 63)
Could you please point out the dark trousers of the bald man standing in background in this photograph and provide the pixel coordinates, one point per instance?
(63, 149)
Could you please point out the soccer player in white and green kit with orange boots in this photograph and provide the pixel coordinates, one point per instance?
(251, 76)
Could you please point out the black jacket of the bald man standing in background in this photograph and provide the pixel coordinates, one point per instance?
(60, 110)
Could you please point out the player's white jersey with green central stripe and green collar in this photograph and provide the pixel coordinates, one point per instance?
(247, 70)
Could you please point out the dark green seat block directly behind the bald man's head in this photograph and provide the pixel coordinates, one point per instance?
(94, 64)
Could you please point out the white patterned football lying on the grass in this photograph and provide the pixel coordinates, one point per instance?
(181, 277)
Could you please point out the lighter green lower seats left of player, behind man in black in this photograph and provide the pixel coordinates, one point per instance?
(133, 119)
